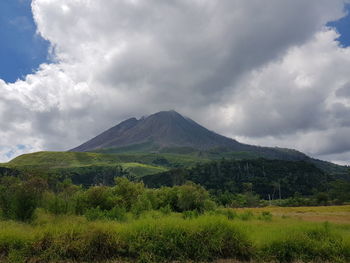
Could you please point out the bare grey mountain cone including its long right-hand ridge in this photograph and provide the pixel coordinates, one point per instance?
(168, 130)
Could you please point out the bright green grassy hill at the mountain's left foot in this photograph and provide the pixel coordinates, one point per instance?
(93, 168)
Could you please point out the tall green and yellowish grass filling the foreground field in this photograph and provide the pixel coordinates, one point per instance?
(160, 237)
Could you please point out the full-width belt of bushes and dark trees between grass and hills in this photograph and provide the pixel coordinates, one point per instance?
(110, 191)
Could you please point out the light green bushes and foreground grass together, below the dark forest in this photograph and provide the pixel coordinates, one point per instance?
(47, 220)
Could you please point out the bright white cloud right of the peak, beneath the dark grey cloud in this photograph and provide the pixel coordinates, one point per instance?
(300, 101)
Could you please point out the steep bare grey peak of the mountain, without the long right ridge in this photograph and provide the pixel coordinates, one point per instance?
(165, 129)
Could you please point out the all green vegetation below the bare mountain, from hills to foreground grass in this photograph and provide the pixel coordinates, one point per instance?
(97, 207)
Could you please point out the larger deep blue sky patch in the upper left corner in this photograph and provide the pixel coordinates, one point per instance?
(21, 49)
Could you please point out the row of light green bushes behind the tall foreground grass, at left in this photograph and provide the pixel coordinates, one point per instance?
(19, 198)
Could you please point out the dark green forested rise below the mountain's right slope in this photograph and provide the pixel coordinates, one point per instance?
(231, 176)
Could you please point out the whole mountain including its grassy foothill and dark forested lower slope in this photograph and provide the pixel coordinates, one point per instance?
(163, 147)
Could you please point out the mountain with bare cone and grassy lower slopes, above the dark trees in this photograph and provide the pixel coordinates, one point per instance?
(153, 145)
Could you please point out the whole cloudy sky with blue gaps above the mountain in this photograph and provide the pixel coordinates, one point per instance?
(271, 73)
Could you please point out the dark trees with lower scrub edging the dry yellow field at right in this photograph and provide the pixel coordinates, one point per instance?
(245, 182)
